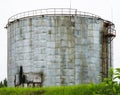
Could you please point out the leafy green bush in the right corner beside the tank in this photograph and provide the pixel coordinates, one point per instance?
(109, 86)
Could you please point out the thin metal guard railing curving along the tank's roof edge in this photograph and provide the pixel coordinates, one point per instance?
(52, 11)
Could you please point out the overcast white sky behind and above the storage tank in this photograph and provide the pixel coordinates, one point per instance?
(107, 9)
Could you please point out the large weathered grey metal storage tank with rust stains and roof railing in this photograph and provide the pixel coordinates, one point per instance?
(58, 47)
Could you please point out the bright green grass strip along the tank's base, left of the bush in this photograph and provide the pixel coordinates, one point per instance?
(86, 89)
